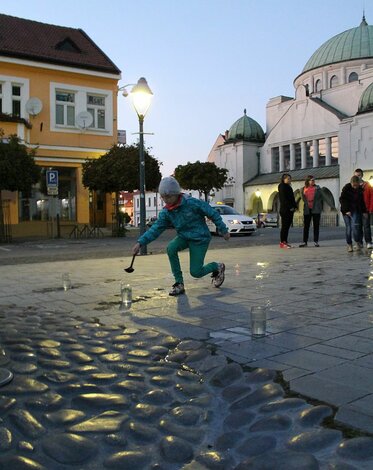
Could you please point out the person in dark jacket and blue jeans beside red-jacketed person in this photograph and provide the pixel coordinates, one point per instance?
(352, 208)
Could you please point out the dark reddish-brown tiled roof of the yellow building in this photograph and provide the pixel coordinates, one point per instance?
(31, 40)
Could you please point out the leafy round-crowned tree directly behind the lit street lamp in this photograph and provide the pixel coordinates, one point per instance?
(119, 170)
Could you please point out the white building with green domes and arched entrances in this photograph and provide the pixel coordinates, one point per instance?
(322, 131)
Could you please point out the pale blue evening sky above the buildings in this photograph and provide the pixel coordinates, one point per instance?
(205, 60)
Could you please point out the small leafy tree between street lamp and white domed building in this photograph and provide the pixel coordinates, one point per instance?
(202, 177)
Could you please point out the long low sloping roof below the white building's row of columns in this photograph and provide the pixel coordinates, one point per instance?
(321, 172)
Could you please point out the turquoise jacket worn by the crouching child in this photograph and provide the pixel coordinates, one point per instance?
(188, 219)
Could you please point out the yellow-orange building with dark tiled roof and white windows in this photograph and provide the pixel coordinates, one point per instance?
(58, 94)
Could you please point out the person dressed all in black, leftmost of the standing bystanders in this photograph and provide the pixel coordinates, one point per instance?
(287, 208)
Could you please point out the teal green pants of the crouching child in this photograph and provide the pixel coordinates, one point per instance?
(197, 252)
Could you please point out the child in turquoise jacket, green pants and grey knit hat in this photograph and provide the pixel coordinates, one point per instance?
(187, 215)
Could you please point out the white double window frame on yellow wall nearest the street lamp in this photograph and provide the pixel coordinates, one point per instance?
(81, 97)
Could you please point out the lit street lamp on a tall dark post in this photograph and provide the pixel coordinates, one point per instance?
(141, 96)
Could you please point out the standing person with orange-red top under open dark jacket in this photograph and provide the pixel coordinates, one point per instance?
(313, 205)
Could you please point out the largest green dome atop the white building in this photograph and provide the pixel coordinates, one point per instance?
(355, 43)
